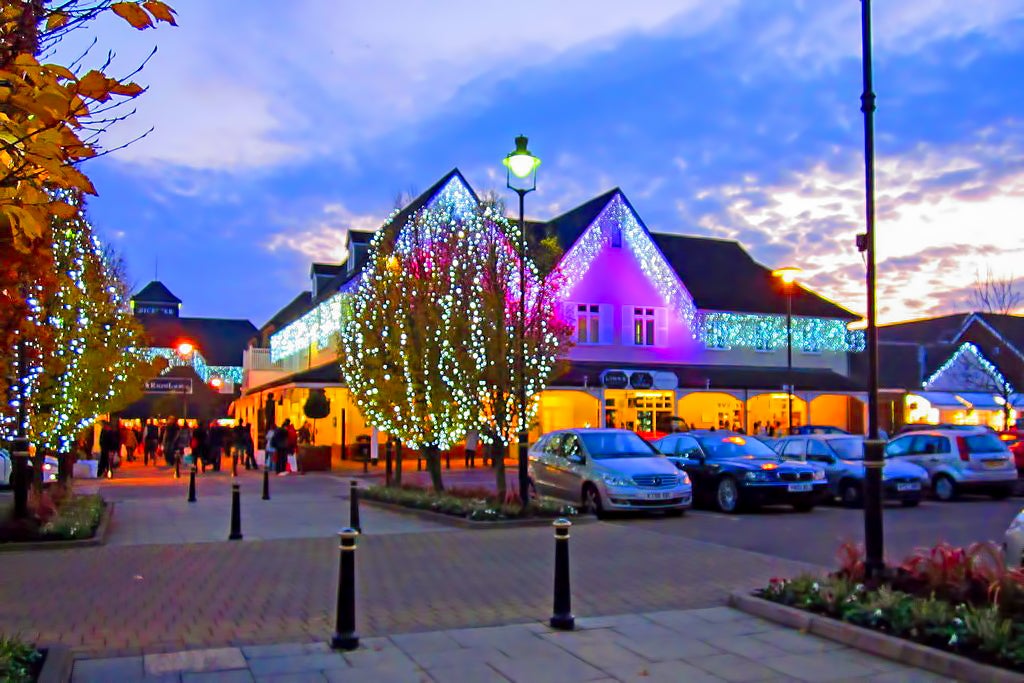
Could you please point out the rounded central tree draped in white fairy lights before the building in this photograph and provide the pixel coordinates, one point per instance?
(429, 343)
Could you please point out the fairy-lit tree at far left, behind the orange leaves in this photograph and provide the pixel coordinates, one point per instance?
(96, 365)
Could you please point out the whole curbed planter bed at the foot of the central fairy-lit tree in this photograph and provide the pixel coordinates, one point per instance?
(467, 509)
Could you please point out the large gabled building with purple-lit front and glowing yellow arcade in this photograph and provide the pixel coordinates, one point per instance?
(667, 326)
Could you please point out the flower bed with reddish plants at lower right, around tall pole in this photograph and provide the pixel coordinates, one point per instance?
(964, 602)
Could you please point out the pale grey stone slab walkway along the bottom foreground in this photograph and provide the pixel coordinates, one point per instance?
(697, 647)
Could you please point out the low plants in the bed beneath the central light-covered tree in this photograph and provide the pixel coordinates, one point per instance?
(472, 504)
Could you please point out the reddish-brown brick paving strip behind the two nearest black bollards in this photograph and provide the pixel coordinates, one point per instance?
(123, 600)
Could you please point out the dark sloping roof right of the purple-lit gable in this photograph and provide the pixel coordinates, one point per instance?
(721, 276)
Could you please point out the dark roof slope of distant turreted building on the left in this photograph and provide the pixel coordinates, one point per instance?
(219, 340)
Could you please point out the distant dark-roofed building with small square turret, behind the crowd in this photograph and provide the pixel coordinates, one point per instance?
(204, 357)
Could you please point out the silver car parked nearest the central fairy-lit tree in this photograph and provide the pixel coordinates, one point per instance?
(607, 471)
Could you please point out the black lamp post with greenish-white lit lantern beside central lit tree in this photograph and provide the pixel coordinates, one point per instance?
(521, 168)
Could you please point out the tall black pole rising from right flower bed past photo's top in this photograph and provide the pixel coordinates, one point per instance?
(874, 454)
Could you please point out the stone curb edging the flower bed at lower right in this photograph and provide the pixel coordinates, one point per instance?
(874, 643)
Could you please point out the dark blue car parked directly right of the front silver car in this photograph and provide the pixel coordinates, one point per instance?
(736, 472)
